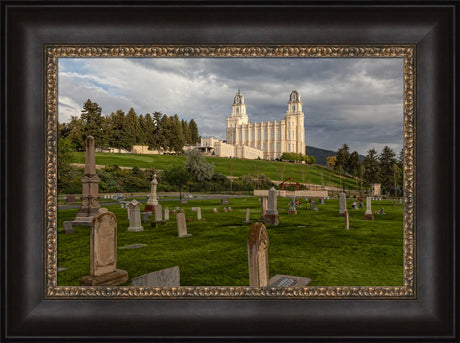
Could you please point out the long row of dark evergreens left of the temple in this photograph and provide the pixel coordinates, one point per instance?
(122, 131)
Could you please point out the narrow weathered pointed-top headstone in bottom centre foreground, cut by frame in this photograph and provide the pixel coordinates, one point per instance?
(258, 255)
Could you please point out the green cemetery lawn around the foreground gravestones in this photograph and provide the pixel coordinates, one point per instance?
(310, 244)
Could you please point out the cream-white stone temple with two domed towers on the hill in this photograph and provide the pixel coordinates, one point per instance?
(265, 140)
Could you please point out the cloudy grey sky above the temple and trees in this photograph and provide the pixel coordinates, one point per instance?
(358, 101)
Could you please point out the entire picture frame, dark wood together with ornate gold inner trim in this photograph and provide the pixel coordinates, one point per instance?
(36, 308)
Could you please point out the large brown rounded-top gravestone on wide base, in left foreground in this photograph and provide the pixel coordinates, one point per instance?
(103, 246)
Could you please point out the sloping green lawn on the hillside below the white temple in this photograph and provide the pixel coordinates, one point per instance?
(229, 167)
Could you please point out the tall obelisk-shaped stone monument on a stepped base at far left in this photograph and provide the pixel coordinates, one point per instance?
(90, 186)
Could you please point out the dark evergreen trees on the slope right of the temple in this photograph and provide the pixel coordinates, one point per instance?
(384, 168)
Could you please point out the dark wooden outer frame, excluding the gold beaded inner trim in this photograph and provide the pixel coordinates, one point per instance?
(26, 27)
